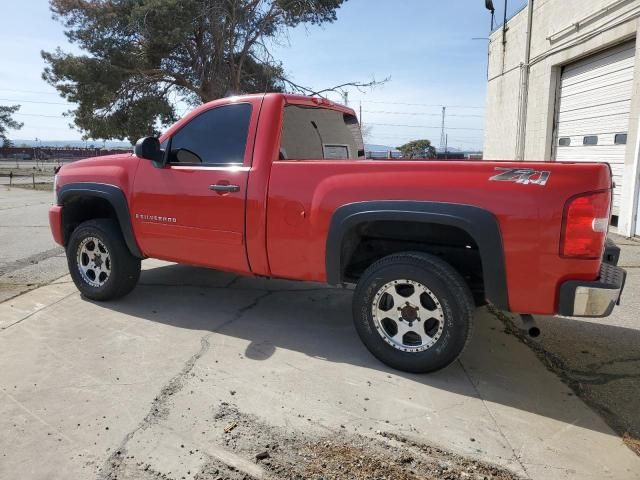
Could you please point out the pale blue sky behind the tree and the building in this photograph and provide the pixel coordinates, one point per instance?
(425, 46)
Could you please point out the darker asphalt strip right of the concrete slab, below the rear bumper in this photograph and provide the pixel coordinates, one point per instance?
(600, 358)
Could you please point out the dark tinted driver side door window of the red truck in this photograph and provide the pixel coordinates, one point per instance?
(215, 137)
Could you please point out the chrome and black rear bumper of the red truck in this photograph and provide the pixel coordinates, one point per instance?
(598, 298)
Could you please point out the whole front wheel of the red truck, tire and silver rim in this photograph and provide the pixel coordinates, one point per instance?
(101, 265)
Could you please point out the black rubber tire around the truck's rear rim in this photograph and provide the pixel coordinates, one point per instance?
(453, 302)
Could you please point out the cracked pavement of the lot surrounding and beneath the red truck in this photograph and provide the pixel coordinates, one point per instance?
(203, 374)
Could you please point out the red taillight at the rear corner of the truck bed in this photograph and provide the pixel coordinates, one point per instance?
(585, 225)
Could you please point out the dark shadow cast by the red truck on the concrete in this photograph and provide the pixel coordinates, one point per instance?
(316, 320)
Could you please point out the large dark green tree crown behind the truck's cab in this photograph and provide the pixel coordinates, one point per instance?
(144, 55)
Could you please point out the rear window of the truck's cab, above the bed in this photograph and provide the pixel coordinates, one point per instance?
(316, 133)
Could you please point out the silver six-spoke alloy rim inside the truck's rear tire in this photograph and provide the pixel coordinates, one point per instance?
(407, 315)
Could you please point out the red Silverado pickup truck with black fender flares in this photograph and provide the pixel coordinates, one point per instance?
(277, 185)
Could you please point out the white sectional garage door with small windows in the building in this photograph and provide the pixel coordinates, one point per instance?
(593, 111)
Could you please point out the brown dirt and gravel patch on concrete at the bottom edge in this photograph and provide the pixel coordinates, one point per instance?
(282, 454)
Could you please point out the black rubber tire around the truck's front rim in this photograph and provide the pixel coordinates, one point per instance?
(123, 267)
